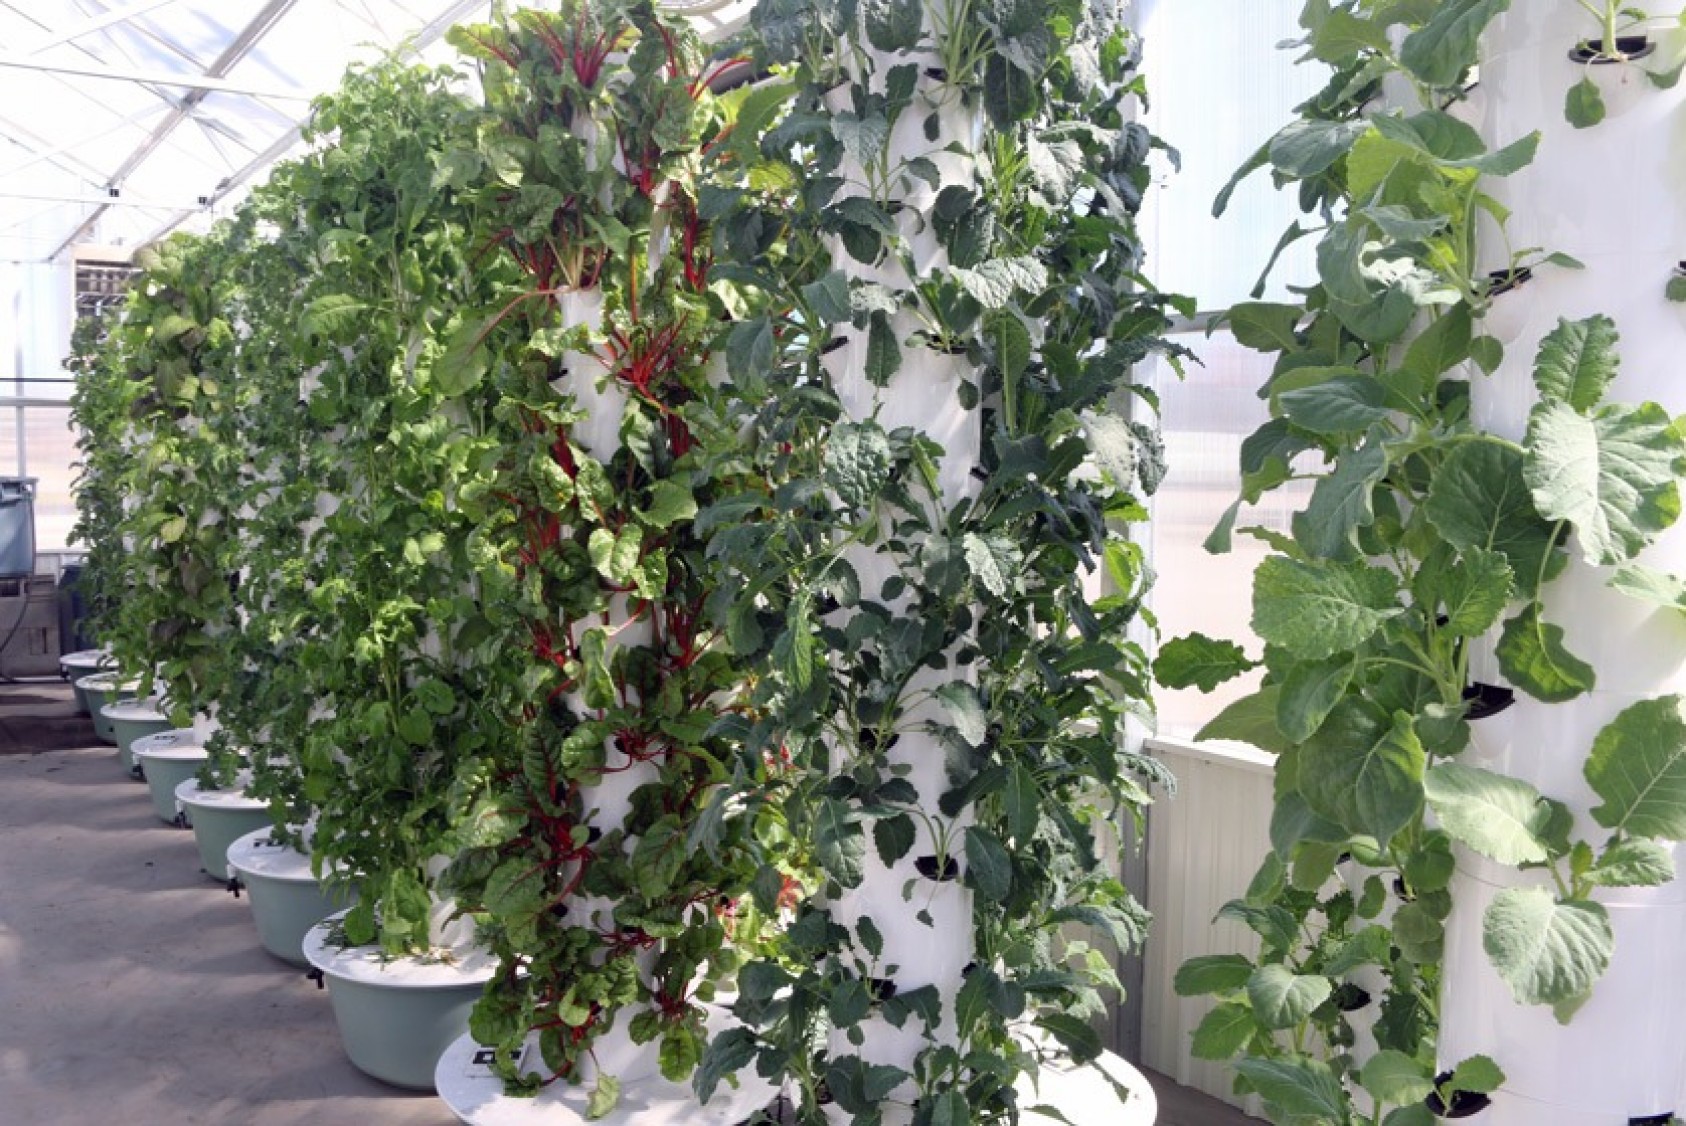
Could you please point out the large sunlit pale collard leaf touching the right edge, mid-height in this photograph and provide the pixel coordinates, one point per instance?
(1609, 475)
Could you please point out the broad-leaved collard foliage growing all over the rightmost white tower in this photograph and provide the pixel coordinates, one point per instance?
(1426, 542)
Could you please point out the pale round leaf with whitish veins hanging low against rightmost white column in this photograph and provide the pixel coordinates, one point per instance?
(1547, 952)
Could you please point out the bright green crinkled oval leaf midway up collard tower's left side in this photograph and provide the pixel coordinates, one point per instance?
(1319, 609)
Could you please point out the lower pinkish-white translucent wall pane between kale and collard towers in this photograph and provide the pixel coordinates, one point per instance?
(1205, 419)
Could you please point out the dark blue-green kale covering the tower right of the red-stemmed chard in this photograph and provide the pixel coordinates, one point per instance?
(891, 609)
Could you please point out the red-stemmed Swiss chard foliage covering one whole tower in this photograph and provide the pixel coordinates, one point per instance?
(613, 879)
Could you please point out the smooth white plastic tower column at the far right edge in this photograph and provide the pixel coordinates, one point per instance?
(1613, 198)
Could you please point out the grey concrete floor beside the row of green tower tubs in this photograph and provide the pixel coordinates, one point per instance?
(132, 987)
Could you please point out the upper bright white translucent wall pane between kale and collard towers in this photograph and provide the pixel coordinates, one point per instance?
(1220, 88)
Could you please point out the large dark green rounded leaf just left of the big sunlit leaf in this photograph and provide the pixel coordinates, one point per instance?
(1481, 500)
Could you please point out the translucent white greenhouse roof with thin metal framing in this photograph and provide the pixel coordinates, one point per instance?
(122, 121)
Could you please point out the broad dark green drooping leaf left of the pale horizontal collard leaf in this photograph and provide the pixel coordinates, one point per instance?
(1363, 771)
